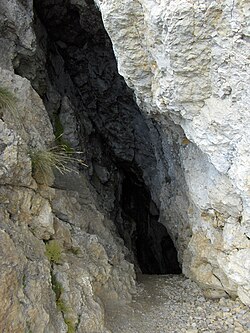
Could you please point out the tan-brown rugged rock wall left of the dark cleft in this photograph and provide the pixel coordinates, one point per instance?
(61, 260)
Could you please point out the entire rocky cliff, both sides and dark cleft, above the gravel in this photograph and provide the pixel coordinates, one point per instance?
(177, 157)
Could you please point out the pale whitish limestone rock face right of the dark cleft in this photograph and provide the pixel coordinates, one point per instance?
(188, 64)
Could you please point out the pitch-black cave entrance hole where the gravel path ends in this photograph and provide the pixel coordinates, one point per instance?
(149, 240)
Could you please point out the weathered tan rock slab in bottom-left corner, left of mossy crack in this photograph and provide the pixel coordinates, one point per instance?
(25, 280)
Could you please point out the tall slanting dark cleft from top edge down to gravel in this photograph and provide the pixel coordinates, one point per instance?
(80, 64)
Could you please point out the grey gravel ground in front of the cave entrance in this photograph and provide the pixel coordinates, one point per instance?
(174, 304)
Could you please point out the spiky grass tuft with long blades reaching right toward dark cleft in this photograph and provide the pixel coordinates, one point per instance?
(44, 161)
